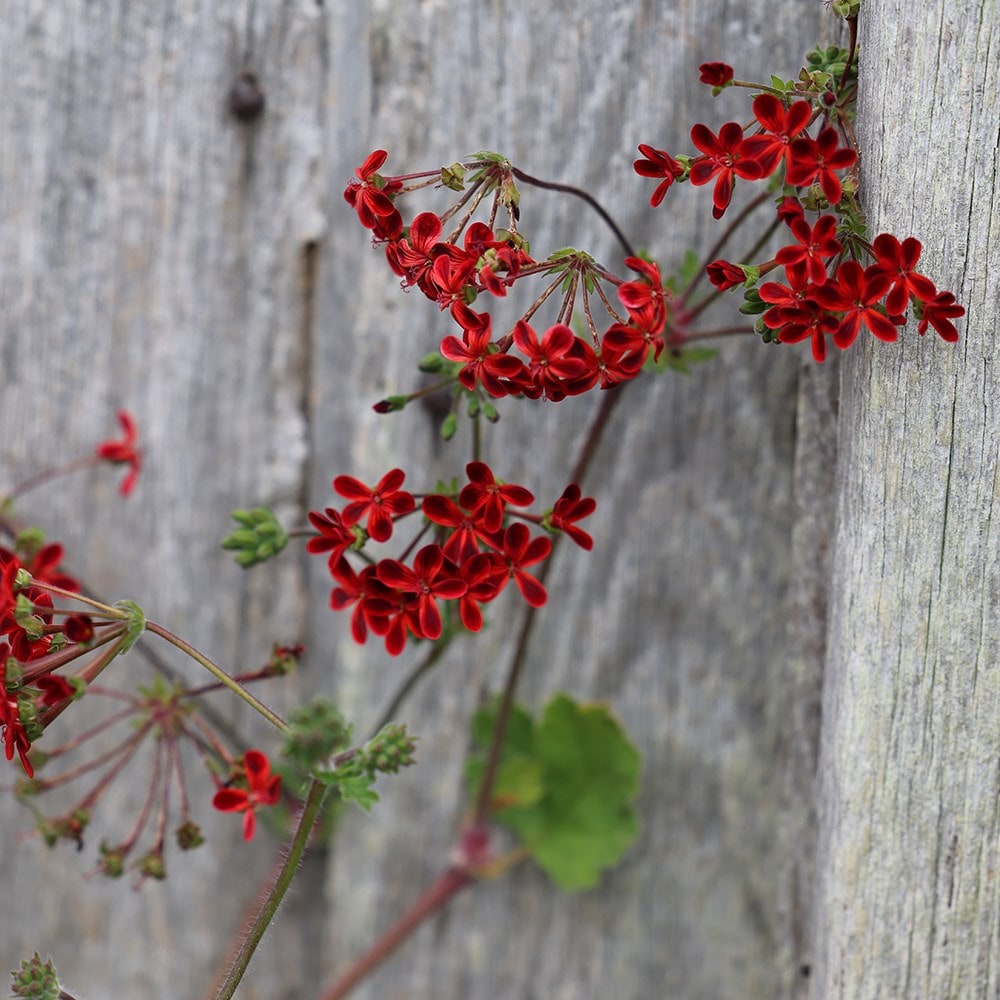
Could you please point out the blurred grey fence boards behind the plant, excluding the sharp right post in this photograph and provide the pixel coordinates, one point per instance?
(157, 254)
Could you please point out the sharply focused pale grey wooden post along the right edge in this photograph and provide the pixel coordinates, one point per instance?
(909, 824)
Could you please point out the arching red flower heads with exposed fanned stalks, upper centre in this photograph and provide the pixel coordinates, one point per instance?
(476, 259)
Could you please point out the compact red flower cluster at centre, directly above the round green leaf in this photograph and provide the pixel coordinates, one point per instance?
(477, 552)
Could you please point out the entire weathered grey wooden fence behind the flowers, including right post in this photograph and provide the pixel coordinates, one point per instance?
(158, 255)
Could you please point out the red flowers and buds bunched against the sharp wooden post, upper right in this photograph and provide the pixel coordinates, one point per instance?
(828, 292)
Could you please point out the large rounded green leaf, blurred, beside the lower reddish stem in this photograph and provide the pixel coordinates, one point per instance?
(565, 786)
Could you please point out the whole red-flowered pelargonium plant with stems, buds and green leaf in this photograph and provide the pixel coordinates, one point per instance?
(416, 562)
